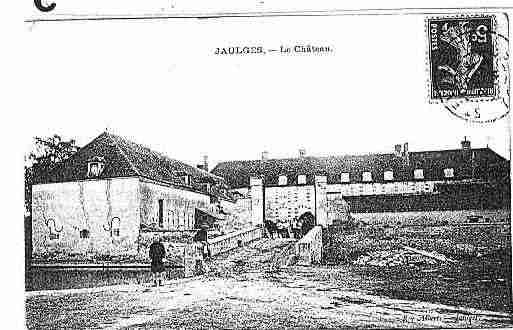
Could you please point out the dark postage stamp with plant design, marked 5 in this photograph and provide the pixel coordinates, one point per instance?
(461, 57)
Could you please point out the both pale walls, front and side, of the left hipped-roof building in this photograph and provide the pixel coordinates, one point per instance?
(112, 211)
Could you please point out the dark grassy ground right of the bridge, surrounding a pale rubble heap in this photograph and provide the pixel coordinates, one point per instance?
(480, 278)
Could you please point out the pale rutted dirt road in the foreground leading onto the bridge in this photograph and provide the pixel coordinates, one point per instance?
(251, 288)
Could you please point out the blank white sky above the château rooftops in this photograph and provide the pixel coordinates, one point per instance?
(159, 83)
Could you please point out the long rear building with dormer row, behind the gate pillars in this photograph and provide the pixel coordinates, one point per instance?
(460, 179)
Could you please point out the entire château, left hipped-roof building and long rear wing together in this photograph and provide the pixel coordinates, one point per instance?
(108, 198)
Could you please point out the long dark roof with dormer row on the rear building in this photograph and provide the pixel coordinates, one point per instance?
(475, 162)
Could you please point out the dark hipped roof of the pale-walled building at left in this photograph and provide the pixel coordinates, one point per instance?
(124, 158)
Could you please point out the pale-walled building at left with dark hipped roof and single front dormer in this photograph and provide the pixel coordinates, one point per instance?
(105, 199)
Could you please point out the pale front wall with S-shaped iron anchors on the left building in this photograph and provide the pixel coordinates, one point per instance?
(107, 209)
